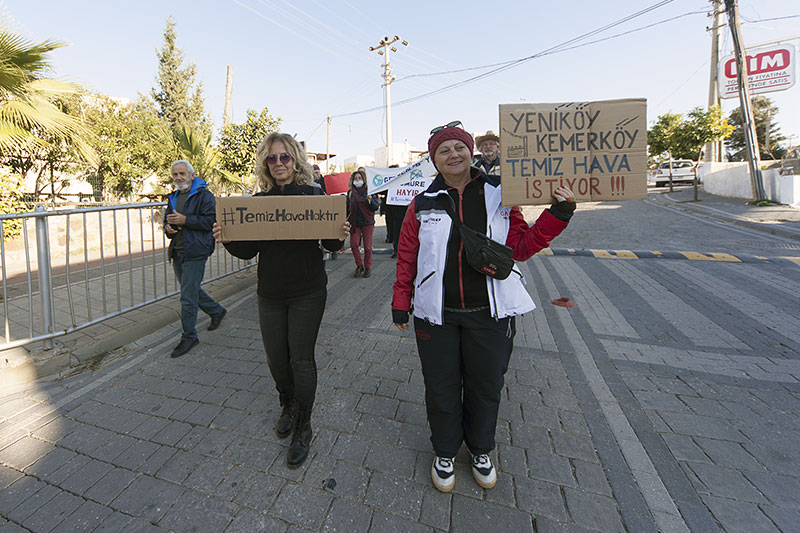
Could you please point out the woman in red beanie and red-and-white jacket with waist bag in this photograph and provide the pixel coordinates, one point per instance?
(463, 318)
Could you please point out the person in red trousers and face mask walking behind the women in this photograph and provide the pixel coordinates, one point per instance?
(361, 209)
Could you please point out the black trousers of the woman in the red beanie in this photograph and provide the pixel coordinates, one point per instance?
(463, 364)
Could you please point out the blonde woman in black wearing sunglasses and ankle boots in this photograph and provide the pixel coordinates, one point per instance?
(291, 291)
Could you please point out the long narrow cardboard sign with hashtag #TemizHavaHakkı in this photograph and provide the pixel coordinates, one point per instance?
(265, 218)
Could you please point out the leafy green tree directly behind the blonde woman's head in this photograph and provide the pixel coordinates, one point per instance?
(238, 142)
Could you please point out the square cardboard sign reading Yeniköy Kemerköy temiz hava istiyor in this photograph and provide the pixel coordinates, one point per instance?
(597, 149)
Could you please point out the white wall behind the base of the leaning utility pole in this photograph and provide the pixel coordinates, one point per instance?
(733, 180)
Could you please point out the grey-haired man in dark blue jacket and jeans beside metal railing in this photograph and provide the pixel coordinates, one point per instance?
(191, 212)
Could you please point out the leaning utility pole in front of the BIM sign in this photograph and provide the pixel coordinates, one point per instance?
(749, 123)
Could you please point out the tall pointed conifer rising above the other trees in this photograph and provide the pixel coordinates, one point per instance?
(175, 83)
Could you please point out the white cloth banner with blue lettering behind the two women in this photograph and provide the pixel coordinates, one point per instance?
(401, 184)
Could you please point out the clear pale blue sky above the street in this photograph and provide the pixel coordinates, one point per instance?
(309, 58)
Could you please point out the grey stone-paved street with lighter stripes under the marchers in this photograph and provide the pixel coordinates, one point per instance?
(667, 400)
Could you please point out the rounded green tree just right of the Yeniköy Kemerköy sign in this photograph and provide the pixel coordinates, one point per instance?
(684, 138)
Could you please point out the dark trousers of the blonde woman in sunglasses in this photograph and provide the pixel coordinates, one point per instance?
(289, 329)
